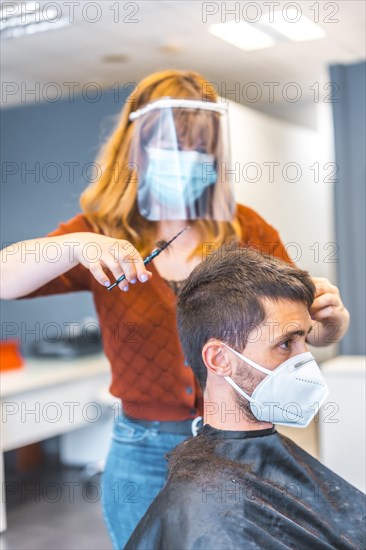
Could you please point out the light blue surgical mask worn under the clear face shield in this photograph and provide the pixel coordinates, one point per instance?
(178, 178)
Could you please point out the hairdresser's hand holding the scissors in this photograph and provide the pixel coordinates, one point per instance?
(99, 253)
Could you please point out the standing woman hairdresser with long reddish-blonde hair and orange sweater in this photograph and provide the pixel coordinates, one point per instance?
(162, 169)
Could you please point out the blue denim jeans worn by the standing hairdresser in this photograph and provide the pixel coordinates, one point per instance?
(135, 472)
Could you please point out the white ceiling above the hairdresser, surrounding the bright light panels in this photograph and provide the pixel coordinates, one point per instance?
(75, 53)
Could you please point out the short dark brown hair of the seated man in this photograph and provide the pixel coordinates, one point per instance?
(223, 298)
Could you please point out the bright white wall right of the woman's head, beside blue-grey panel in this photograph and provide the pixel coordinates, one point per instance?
(302, 211)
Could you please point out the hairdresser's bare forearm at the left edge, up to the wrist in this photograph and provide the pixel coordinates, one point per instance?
(28, 265)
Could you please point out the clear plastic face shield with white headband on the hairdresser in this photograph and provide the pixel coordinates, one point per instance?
(180, 151)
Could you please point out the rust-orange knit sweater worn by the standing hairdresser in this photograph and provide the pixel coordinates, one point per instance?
(139, 330)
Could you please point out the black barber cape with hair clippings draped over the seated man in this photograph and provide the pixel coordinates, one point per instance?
(250, 490)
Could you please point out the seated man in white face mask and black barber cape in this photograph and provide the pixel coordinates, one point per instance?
(243, 320)
